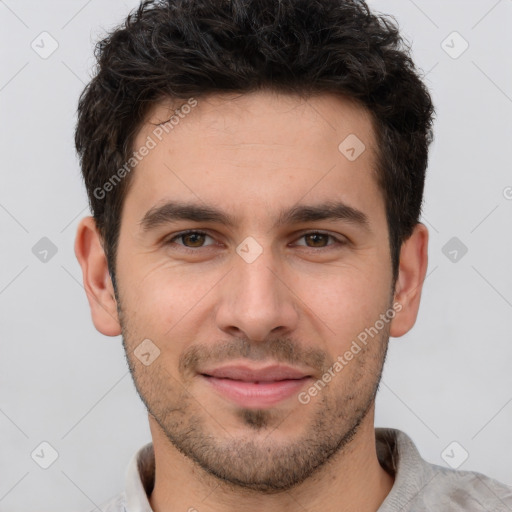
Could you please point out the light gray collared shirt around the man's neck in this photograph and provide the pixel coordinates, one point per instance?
(419, 485)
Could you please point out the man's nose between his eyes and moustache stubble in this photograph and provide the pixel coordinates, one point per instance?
(257, 299)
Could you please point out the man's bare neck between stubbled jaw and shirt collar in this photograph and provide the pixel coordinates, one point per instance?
(352, 480)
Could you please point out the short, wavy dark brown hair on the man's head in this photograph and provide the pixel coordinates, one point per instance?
(179, 49)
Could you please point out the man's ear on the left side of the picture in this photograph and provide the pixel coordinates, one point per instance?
(97, 283)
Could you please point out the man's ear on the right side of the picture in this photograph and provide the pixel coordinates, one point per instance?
(412, 271)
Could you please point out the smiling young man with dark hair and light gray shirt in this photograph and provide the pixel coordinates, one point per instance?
(255, 171)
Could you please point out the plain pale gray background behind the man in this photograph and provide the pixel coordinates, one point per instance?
(62, 382)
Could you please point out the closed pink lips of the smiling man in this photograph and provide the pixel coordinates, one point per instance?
(256, 387)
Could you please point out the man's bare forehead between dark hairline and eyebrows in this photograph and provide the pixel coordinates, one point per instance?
(260, 151)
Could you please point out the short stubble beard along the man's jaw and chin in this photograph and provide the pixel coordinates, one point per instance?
(254, 461)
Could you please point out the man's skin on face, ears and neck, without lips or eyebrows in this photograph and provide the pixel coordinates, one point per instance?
(301, 302)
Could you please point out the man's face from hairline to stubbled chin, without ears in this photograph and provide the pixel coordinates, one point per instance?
(257, 293)
